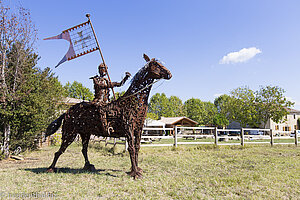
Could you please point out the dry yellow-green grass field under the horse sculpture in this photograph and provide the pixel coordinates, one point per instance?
(188, 172)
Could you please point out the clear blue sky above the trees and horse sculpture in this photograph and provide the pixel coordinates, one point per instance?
(191, 37)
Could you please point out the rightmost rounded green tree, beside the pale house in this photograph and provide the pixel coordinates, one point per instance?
(271, 104)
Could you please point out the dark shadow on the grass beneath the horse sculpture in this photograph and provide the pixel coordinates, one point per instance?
(74, 171)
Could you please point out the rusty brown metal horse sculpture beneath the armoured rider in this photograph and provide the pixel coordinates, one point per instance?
(123, 117)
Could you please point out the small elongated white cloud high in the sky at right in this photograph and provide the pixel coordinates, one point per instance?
(243, 55)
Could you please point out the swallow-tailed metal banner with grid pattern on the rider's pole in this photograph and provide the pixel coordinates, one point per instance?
(82, 41)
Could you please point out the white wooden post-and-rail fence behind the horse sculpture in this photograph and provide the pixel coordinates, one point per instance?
(214, 137)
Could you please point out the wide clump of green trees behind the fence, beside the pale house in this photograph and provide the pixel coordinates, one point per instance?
(253, 108)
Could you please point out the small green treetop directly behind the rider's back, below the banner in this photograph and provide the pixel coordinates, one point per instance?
(78, 91)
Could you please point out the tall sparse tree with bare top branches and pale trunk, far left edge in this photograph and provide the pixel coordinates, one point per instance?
(17, 35)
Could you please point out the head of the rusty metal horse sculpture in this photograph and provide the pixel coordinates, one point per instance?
(156, 70)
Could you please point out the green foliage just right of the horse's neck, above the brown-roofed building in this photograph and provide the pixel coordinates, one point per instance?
(162, 106)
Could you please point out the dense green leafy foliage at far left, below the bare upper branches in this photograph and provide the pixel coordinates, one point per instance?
(32, 105)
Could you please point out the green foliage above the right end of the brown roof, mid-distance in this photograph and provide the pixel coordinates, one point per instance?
(199, 111)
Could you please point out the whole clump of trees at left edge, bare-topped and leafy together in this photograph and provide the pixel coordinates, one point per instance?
(27, 95)
